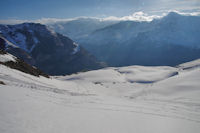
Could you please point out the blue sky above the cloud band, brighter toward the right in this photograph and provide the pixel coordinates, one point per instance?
(36, 9)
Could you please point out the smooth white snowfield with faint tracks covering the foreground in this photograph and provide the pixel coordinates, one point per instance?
(134, 99)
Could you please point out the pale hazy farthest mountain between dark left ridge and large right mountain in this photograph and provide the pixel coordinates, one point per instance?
(80, 27)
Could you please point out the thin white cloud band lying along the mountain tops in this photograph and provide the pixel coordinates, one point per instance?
(137, 16)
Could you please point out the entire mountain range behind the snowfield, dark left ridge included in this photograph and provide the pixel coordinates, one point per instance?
(171, 40)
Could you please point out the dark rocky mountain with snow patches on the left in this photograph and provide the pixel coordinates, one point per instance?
(40, 46)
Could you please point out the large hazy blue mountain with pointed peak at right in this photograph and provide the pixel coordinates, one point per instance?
(171, 40)
